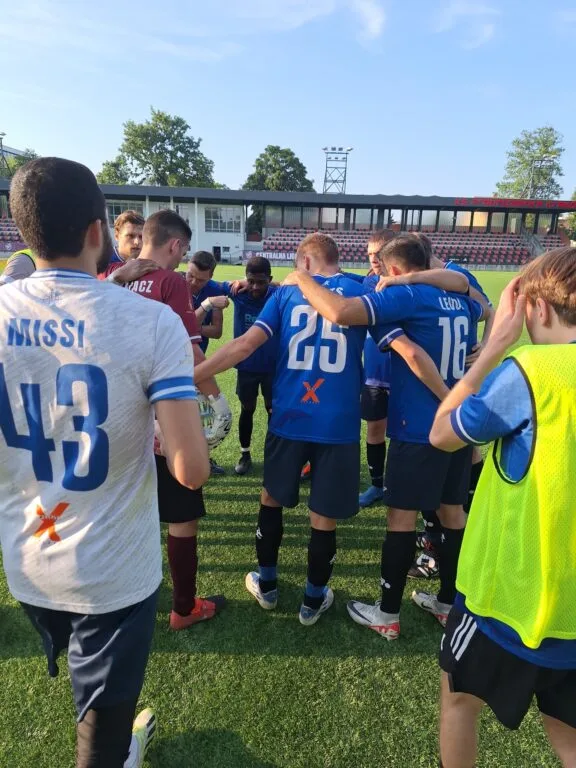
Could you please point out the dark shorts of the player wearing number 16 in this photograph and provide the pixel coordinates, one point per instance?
(419, 476)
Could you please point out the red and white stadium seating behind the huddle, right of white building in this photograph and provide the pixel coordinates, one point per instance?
(469, 247)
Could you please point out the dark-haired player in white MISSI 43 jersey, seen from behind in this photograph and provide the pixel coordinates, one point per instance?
(78, 508)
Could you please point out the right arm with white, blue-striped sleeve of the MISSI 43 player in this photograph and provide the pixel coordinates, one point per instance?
(171, 390)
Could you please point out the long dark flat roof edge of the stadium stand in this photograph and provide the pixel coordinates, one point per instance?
(203, 194)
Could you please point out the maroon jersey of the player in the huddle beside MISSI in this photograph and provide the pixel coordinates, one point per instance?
(169, 288)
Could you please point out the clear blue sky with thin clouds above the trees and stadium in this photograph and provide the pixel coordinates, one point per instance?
(429, 93)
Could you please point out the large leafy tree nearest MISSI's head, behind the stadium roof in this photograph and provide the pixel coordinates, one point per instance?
(160, 151)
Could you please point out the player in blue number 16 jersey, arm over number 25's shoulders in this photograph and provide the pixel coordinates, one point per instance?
(418, 476)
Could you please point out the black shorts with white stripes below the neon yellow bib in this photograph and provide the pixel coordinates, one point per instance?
(477, 665)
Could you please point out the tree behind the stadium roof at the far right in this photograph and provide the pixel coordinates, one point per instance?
(533, 166)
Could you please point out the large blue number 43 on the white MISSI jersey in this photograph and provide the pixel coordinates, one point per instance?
(40, 446)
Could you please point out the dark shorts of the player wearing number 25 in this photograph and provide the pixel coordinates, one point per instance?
(334, 475)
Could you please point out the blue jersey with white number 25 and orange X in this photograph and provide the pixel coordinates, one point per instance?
(316, 395)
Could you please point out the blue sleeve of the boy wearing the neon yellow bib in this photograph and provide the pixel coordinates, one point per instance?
(502, 406)
